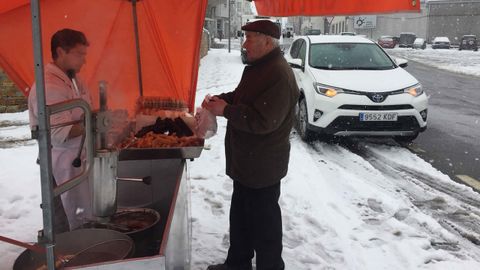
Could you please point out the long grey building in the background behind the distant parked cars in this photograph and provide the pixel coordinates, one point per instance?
(450, 18)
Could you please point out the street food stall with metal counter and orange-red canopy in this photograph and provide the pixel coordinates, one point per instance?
(140, 48)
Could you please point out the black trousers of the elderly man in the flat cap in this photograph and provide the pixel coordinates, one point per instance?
(255, 226)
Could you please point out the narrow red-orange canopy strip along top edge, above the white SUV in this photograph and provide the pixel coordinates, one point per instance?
(281, 8)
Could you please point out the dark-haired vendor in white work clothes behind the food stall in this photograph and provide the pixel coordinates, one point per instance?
(69, 51)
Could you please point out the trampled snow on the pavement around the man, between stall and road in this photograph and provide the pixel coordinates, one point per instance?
(339, 212)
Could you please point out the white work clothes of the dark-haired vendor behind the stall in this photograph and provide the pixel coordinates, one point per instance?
(60, 88)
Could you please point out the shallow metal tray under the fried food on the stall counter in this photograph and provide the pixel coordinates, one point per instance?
(188, 152)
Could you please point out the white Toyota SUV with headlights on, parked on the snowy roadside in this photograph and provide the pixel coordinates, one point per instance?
(351, 87)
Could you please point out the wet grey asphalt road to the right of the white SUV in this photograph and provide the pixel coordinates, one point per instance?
(451, 142)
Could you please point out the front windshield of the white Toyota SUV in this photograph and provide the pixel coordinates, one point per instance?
(348, 56)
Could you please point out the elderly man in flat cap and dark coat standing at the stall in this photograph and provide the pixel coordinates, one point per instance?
(260, 114)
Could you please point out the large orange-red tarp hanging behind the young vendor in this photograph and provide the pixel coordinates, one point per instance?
(170, 34)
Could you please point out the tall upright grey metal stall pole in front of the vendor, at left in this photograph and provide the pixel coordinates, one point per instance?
(47, 236)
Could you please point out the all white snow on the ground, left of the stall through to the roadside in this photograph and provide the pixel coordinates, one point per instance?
(340, 211)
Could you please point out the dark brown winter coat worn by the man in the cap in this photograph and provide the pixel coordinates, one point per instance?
(260, 117)
